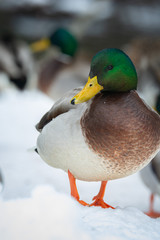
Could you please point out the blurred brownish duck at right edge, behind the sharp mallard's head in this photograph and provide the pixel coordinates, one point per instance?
(145, 53)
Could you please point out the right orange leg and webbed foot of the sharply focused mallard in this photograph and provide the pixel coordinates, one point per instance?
(99, 197)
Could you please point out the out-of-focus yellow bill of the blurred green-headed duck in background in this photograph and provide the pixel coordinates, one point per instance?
(40, 45)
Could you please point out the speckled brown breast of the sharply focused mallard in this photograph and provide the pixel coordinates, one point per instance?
(121, 129)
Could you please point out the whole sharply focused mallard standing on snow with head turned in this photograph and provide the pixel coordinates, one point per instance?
(101, 132)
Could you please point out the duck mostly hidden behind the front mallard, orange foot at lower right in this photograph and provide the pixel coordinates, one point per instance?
(151, 175)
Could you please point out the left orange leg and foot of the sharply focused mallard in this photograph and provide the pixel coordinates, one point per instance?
(74, 191)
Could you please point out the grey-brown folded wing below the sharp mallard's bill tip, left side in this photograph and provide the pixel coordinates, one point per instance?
(63, 105)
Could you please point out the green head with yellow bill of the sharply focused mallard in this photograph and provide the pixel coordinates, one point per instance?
(111, 70)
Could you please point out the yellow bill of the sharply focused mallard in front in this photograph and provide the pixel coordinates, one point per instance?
(90, 90)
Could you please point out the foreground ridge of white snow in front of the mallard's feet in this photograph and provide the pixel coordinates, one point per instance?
(52, 215)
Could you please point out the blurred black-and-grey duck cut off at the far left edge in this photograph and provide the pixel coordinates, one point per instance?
(16, 64)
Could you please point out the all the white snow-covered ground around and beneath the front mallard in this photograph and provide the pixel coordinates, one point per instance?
(35, 202)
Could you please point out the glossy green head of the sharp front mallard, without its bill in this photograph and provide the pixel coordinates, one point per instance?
(114, 70)
